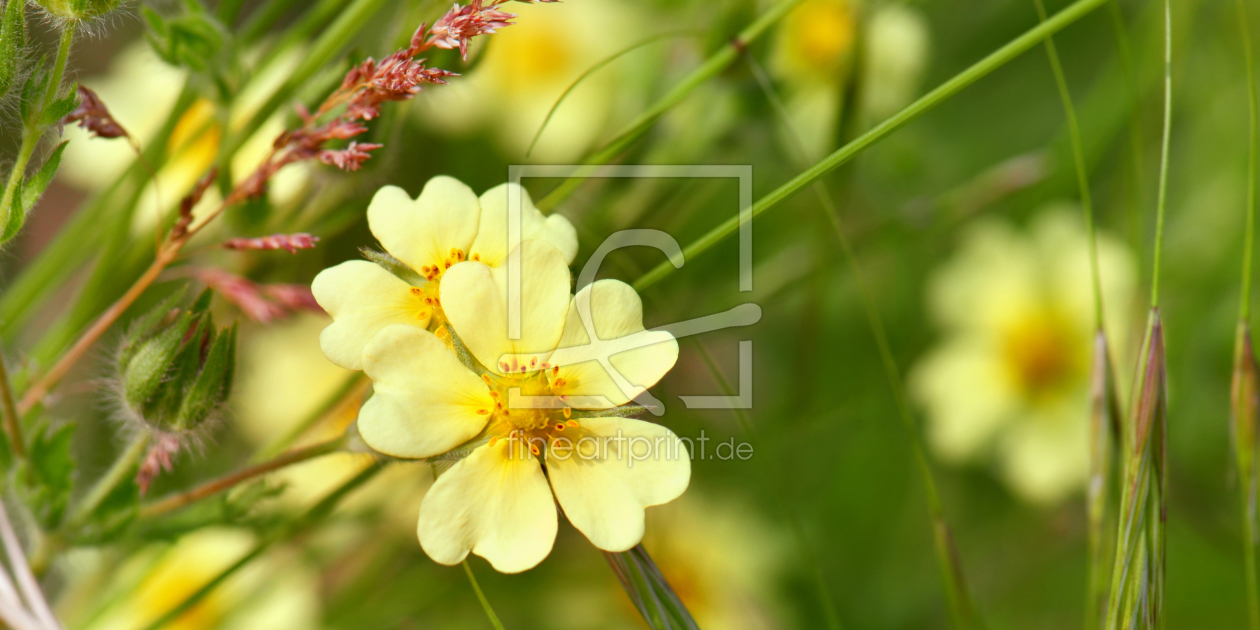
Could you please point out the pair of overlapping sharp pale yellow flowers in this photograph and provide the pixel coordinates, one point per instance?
(531, 419)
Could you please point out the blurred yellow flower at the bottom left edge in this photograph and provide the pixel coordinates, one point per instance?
(278, 592)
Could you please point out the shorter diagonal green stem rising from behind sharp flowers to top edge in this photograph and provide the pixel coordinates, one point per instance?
(715, 65)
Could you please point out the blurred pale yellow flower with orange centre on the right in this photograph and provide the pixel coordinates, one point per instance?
(1012, 375)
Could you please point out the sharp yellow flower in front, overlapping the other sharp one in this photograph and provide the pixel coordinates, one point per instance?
(497, 502)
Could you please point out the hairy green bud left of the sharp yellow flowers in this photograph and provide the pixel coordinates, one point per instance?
(177, 367)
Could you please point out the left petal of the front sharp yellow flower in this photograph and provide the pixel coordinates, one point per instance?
(425, 401)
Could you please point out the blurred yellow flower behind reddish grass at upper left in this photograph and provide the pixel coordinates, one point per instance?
(140, 90)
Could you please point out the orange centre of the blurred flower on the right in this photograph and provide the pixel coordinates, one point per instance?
(1041, 353)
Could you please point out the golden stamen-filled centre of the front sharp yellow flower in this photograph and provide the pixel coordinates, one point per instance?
(530, 406)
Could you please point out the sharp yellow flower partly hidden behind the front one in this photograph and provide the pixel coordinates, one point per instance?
(447, 225)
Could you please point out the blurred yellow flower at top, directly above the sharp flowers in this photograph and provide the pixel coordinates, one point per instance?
(526, 69)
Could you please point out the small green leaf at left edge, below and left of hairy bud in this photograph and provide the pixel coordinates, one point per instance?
(51, 474)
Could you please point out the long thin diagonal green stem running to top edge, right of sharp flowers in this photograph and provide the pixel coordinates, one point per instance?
(982, 69)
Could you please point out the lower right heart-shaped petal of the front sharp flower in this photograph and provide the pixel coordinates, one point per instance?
(617, 469)
